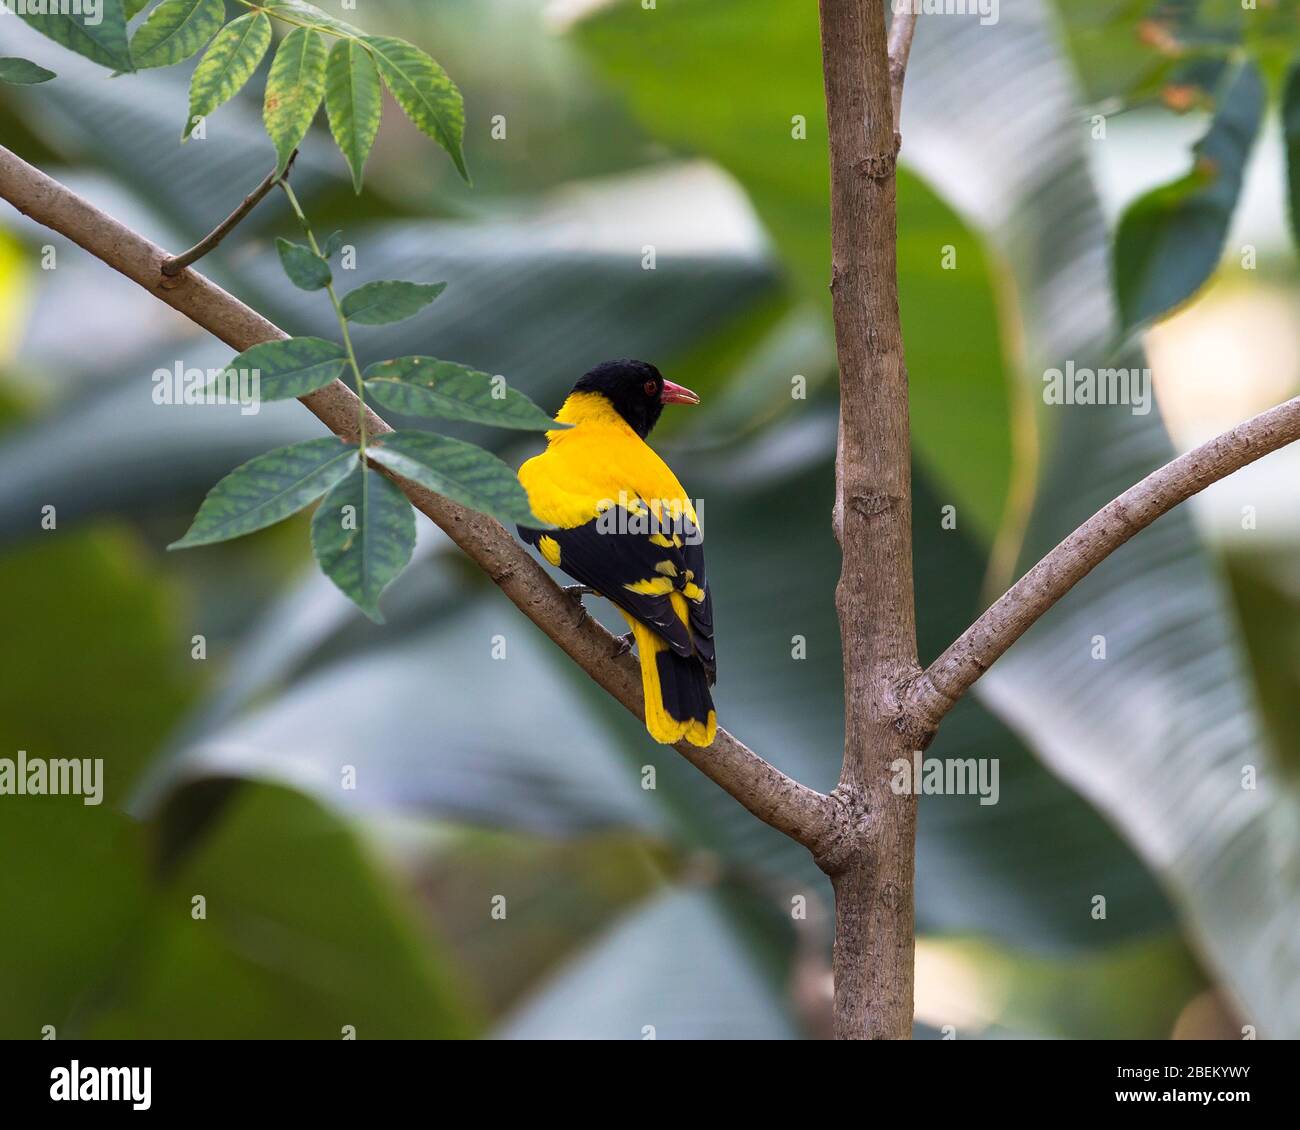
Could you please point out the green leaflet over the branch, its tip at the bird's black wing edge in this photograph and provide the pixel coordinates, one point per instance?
(460, 471)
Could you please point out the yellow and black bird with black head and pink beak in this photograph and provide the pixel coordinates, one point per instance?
(625, 529)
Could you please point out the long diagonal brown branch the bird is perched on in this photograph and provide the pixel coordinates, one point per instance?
(801, 813)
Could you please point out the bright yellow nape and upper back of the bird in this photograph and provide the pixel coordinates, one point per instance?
(596, 462)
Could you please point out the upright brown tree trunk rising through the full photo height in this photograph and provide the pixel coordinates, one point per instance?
(873, 877)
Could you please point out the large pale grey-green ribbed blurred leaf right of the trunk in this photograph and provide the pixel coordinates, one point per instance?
(1159, 733)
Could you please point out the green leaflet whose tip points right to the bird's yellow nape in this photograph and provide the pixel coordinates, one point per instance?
(426, 387)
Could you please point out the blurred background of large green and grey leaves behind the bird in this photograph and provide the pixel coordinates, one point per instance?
(396, 832)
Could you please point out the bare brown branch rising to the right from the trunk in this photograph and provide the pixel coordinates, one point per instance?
(926, 699)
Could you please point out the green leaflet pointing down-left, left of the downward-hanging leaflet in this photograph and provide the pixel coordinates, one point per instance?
(270, 490)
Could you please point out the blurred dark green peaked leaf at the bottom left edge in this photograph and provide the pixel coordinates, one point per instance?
(300, 938)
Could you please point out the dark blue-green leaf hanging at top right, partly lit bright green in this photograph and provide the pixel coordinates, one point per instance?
(1172, 239)
